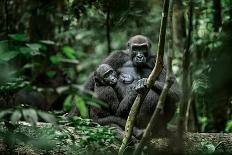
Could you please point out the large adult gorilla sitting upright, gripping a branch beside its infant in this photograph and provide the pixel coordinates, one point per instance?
(133, 66)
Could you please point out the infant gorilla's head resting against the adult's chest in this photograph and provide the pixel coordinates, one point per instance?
(105, 75)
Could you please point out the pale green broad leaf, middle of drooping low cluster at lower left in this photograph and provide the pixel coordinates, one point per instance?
(30, 116)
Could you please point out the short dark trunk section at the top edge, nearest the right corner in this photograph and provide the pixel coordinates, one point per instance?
(217, 19)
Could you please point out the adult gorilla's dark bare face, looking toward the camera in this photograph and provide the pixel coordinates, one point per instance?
(139, 54)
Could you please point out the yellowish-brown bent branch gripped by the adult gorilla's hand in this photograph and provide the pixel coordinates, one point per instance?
(150, 81)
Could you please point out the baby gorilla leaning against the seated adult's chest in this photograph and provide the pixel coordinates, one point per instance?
(106, 88)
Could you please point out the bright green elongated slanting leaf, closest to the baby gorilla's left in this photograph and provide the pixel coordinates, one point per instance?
(81, 106)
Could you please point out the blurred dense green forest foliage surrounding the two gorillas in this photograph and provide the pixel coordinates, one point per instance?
(51, 47)
